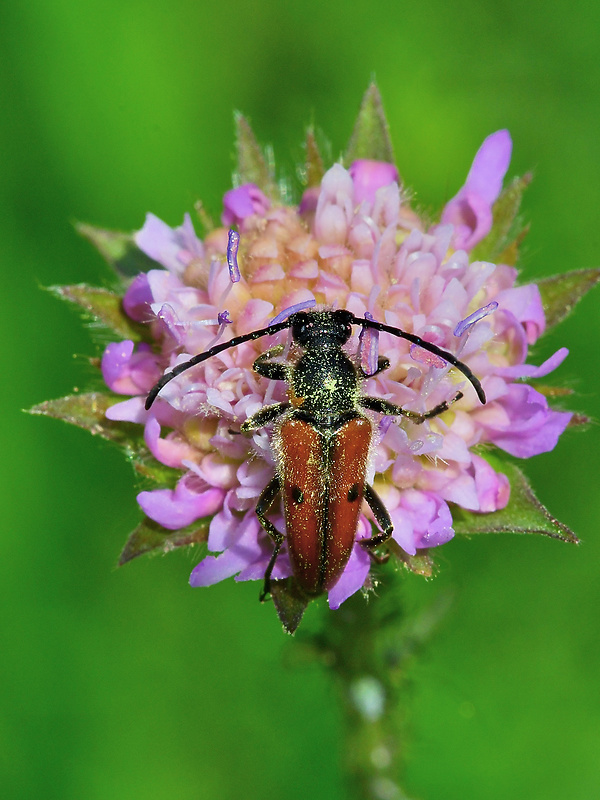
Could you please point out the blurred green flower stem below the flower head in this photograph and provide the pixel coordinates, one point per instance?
(368, 645)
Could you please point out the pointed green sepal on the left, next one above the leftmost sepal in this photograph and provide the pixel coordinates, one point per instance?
(105, 307)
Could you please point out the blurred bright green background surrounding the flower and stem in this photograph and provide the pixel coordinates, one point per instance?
(126, 683)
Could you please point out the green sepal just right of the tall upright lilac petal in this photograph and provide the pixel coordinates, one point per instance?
(501, 245)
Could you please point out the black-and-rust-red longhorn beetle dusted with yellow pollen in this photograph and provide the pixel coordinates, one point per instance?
(321, 441)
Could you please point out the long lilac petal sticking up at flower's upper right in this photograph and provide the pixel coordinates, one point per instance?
(470, 211)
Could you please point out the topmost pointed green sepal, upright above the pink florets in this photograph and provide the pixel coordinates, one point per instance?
(371, 135)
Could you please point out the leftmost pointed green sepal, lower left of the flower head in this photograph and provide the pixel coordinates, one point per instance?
(88, 410)
